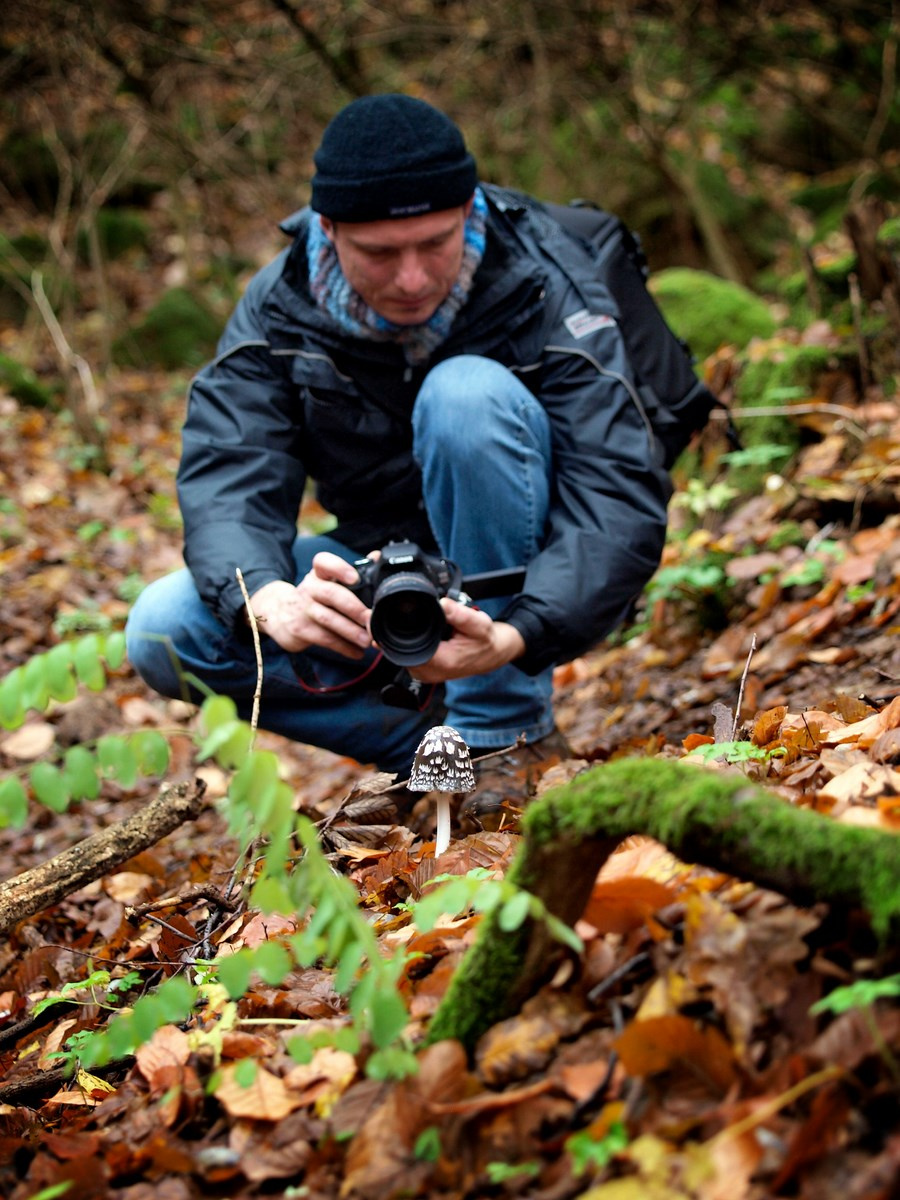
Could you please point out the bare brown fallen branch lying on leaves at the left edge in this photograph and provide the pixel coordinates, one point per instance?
(97, 856)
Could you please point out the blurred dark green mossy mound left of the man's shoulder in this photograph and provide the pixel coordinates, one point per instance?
(179, 332)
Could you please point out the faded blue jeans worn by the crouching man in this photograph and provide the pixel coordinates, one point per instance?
(483, 442)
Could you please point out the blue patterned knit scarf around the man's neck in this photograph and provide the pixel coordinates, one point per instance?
(333, 293)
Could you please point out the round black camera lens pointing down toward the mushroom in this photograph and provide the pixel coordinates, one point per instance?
(407, 621)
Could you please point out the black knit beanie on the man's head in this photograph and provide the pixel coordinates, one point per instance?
(391, 157)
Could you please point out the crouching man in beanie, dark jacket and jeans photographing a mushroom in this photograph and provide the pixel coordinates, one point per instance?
(440, 358)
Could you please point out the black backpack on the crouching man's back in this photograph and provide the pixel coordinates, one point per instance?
(676, 403)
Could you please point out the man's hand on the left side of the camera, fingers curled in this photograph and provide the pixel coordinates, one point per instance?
(320, 611)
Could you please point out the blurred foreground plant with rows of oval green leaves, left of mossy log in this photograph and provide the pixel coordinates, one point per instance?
(293, 877)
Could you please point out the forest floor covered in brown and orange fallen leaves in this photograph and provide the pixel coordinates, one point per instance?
(734, 1088)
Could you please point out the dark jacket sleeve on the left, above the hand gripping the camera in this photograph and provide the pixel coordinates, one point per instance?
(241, 481)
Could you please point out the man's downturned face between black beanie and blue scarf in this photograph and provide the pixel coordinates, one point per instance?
(404, 269)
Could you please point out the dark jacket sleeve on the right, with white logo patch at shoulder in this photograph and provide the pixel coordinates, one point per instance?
(608, 520)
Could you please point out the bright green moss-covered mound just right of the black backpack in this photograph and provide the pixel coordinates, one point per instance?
(709, 311)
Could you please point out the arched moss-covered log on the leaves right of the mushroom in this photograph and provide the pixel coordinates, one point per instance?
(719, 820)
